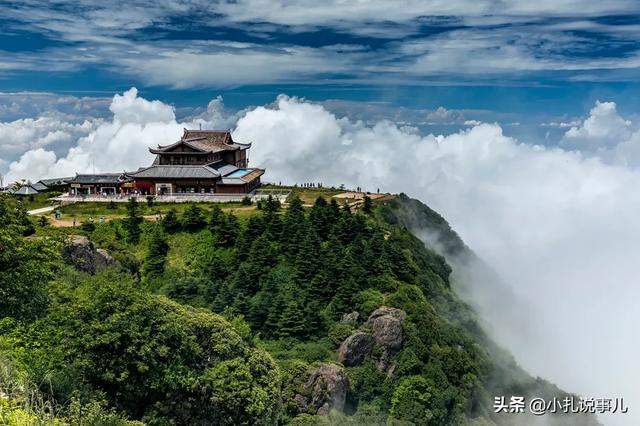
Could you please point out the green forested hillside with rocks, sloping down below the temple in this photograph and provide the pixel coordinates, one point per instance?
(278, 315)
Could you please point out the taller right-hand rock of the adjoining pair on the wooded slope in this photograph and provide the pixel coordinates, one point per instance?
(386, 328)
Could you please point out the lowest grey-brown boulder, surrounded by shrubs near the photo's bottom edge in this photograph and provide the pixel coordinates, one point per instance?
(328, 388)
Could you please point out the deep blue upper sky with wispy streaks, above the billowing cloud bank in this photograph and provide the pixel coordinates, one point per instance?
(507, 56)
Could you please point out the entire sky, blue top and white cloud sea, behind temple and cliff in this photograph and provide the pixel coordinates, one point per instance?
(519, 121)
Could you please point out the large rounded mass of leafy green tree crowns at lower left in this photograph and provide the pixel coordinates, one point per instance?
(151, 358)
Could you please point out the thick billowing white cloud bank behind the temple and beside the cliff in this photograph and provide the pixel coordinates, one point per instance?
(560, 225)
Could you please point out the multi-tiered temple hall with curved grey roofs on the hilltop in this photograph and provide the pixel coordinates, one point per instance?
(201, 162)
